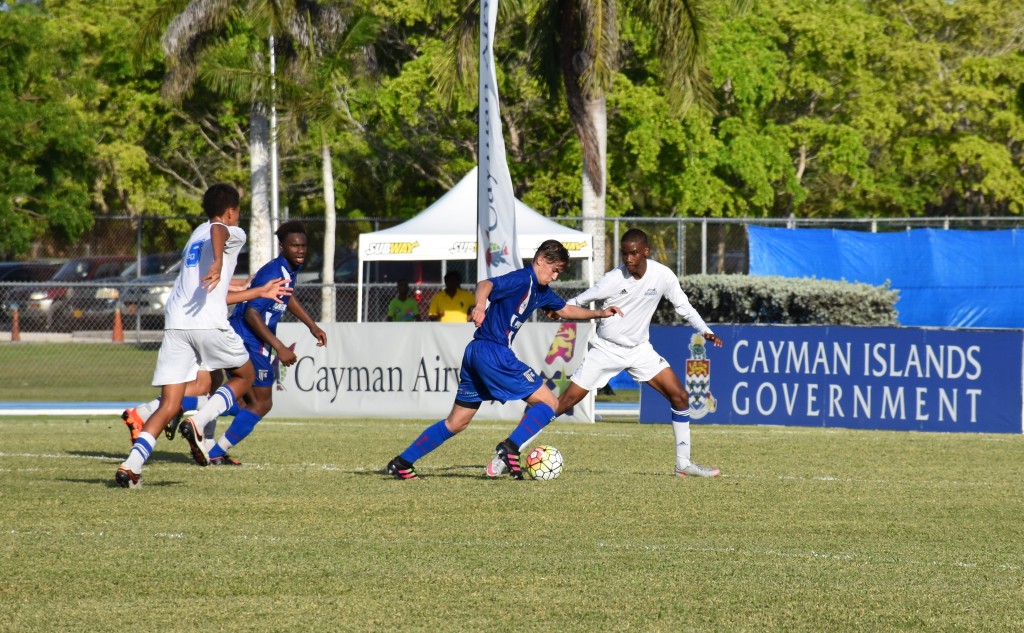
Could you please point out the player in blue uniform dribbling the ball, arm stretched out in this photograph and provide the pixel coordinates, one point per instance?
(491, 370)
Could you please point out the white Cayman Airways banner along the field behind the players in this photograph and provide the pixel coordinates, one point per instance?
(411, 370)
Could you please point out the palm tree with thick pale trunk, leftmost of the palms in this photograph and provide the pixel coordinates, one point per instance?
(212, 34)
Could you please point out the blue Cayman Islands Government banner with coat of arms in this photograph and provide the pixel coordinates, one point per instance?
(871, 378)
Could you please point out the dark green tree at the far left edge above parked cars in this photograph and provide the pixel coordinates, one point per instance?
(47, 139)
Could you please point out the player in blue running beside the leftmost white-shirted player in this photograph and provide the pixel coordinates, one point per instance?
(257, 322)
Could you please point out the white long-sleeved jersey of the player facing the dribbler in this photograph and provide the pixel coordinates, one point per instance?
(638, 301)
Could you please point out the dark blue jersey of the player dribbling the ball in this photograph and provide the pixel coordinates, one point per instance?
(514, 300)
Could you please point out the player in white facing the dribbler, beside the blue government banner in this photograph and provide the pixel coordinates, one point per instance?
(623, 343)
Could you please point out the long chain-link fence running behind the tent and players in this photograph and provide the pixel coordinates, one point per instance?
(111, 286)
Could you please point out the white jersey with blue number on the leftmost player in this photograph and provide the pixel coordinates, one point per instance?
(191, 307)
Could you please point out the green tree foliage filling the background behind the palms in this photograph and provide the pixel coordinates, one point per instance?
(839, 109)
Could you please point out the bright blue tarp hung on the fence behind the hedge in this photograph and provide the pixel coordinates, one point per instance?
(956, 279)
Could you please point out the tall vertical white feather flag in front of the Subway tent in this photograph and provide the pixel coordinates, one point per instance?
(497, 249)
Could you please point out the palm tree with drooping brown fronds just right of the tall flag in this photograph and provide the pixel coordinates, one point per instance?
(575, 48)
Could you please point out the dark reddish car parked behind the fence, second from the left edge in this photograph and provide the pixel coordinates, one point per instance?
(51, 307)
